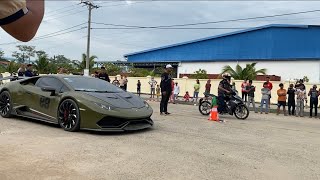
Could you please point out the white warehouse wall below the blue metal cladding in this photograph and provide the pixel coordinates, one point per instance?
(286, 69)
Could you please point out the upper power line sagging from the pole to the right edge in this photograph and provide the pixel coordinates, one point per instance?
(210, 22)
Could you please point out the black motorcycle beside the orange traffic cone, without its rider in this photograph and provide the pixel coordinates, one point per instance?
(234, 105)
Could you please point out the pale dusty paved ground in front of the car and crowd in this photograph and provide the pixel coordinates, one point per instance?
(184, 145)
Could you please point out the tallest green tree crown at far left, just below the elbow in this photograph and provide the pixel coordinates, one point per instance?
(25, 53)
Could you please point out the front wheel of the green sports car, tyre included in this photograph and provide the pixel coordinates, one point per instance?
(69, 115)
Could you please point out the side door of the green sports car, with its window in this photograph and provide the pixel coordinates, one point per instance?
(44, 103)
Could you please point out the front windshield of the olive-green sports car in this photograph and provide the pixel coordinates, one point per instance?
(91, 84)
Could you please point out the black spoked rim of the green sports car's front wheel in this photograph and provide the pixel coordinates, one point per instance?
(68, 115)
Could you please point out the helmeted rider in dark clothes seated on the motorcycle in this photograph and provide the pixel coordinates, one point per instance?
(224, 89)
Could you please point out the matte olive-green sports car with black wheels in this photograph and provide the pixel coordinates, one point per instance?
(75, 102)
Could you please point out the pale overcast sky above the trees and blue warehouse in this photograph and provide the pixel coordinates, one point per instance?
(111, 44)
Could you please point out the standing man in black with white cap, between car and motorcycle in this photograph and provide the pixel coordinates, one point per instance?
(166, 89)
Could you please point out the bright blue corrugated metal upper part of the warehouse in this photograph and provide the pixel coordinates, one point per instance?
(263, 44)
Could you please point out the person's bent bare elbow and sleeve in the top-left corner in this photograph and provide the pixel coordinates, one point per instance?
(21, 18)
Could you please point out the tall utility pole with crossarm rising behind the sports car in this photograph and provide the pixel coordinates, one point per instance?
(90, 7)
